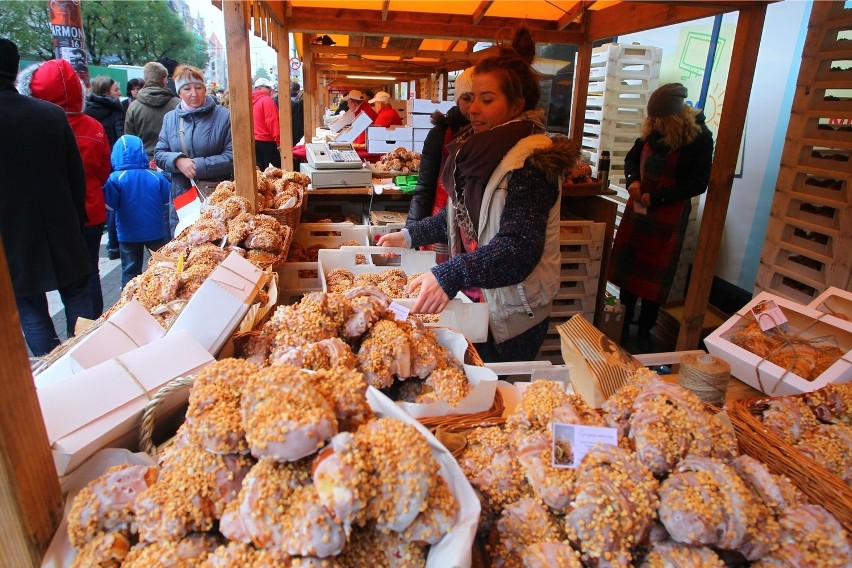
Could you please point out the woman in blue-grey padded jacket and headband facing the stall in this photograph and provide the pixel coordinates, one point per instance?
(195, 140)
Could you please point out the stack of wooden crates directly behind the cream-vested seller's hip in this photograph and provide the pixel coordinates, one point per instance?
(581, 247)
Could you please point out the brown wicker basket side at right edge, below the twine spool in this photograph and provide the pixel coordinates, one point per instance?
(821, 486)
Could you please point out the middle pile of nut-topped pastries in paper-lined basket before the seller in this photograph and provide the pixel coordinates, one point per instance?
(357, 330)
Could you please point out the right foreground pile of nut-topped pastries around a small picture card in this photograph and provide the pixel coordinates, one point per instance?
(673, 492)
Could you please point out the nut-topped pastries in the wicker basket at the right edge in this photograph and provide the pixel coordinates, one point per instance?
(818, 425)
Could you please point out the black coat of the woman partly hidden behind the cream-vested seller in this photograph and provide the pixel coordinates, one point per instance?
(431, 160)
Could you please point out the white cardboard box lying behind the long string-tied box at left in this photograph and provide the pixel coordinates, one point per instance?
(129, 327)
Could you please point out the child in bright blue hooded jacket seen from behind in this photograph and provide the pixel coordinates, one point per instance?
(140, 198)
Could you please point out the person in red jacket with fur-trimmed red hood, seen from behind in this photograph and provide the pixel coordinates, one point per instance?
(56, 82)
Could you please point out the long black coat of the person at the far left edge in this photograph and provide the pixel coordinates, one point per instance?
(42, 195)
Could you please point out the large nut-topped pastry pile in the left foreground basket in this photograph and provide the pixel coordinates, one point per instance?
(272, 467)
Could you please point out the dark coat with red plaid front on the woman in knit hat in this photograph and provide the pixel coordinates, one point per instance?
(647, 247)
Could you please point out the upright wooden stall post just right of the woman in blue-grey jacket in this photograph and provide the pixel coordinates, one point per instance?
(239, 83)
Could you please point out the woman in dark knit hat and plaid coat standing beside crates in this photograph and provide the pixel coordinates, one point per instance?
(667, 166)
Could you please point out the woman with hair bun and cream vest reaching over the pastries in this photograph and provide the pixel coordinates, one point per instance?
(502, 220)
